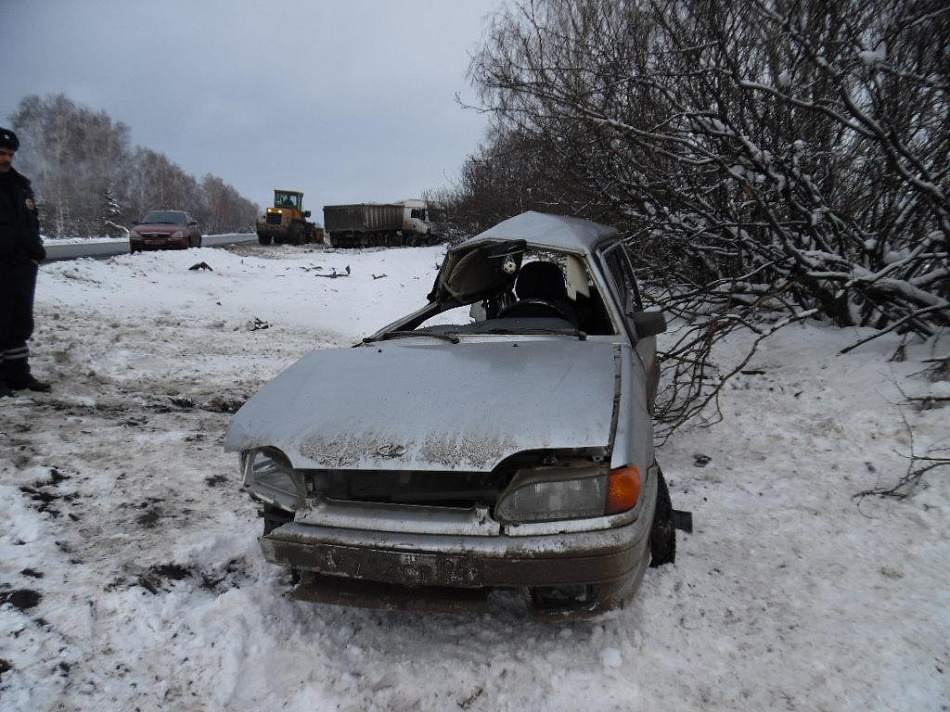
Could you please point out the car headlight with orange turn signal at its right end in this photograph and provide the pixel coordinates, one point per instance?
(570, 491)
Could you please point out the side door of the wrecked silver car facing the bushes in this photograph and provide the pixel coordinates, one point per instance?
(623, 283)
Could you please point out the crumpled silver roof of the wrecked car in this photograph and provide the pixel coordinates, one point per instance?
(545, 230)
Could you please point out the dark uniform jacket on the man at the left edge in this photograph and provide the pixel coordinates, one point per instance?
(20, 241)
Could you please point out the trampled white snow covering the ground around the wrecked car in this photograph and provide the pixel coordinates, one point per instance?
(131, 576)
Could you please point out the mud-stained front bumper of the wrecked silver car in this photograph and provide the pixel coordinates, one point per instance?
(578, 572)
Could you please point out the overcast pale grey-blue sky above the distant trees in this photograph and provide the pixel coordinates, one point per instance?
(347, 101)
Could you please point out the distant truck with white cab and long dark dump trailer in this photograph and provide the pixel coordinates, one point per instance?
(369, 224)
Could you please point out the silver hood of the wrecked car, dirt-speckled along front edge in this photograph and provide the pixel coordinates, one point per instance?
(412, 404)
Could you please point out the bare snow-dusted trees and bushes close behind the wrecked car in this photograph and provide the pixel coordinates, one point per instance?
(770, 160)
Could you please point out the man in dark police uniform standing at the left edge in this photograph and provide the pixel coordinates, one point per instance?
(21, 251)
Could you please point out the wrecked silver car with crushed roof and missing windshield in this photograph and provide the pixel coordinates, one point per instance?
(500, 437)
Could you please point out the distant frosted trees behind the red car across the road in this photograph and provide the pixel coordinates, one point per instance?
(89, 179)
